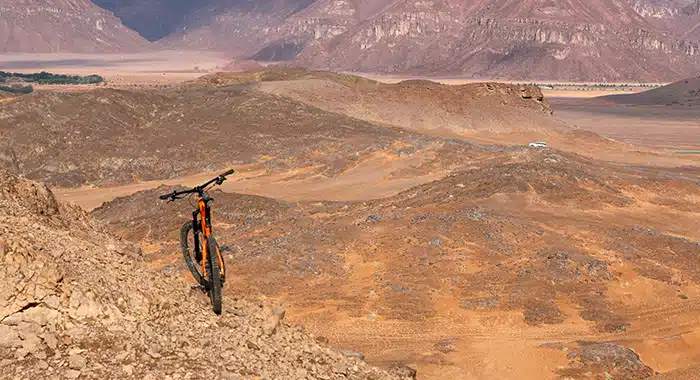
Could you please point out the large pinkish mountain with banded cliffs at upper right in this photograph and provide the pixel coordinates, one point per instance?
(597, 41)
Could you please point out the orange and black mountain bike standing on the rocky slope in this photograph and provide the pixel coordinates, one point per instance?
(205, 261)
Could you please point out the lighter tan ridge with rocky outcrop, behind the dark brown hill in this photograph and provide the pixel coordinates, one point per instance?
(487, 113)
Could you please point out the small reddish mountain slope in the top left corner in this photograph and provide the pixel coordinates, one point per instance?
(47, 26)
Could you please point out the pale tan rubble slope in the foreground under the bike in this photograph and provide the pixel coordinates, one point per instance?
(76, 302)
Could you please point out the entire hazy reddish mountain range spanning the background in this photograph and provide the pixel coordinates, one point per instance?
(566, 40)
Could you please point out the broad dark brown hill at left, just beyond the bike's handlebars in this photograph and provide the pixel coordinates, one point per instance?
(113, 137)
